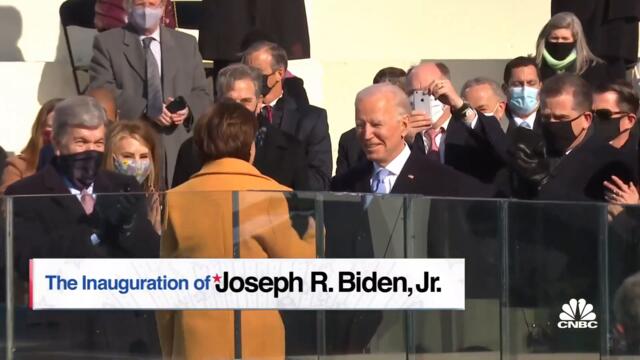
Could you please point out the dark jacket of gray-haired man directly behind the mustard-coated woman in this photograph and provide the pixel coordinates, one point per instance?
(281, 157)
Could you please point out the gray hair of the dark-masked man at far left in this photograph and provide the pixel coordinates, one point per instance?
(77, 111)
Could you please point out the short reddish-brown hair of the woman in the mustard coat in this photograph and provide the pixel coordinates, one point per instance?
(227, 130)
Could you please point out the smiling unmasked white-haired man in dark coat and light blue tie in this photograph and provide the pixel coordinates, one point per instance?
(392, 166)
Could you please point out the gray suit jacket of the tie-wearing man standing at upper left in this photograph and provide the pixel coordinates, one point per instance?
(118, 63)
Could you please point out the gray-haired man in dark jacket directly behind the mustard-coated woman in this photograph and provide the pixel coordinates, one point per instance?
(279, 155)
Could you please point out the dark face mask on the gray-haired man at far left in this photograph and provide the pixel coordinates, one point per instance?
(80, 168)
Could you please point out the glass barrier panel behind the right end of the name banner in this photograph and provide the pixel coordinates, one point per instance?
(468, 229)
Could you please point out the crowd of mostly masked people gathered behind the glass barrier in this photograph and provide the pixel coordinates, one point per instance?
(147, 151)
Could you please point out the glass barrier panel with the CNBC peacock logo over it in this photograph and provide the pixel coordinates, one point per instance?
(553, 279)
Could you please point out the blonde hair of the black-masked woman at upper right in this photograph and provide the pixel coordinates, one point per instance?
(567, 20)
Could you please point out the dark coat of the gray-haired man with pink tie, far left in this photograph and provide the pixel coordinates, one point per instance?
(55, 226)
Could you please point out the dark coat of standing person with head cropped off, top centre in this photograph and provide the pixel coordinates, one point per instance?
(226, 24)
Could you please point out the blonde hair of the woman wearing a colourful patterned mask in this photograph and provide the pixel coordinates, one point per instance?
(142, 132)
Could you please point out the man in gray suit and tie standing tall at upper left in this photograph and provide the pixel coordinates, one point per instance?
(147, 66)
